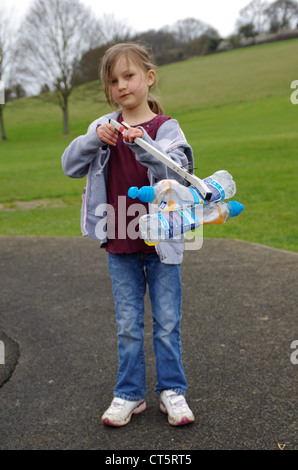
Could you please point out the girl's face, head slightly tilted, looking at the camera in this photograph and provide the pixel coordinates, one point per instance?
(130, 84)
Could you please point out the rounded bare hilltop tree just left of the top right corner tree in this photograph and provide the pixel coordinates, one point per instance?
(253, 20)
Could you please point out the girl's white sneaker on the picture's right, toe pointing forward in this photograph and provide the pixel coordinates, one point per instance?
(176, 408)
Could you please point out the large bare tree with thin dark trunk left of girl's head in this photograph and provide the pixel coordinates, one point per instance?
(53, 37)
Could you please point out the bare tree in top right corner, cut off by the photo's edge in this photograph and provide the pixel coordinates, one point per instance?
(282, 14)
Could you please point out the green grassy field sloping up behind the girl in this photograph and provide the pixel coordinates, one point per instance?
(235, 111)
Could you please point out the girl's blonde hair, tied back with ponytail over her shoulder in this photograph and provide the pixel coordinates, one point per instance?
(140, 55)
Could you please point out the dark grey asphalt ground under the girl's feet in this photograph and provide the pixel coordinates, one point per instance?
(58, 336)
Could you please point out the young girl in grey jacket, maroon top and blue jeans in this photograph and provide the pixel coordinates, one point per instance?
(113, 164)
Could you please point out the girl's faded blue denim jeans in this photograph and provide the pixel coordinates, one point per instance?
(130, 273)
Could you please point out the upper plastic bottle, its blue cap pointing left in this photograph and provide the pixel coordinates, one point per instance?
(171, 195)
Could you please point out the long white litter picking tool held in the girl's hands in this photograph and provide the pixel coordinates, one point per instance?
(190, 178)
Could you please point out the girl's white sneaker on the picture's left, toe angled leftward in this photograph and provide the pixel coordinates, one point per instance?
(120, 411)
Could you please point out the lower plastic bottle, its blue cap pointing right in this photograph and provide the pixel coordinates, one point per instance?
(169, 224)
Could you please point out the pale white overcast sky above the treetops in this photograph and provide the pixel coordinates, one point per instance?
(221, 14)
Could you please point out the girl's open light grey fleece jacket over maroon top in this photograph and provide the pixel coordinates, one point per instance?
(87, 155)
